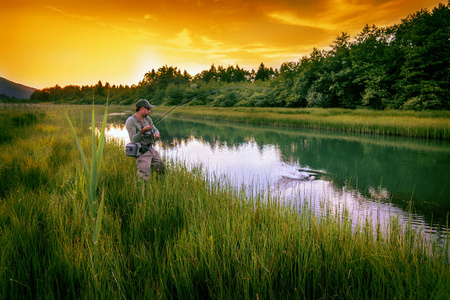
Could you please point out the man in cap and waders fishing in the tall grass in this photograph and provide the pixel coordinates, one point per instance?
(141, 130)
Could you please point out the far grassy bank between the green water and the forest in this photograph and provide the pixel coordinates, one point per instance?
(427, 124)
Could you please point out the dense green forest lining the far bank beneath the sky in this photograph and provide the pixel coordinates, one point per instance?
(404, 66)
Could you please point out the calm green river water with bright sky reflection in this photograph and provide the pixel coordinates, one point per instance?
(372, 176)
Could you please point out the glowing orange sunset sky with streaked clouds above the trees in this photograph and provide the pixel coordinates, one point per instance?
(48, 42)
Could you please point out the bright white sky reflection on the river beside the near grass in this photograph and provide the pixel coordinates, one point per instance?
(261, 168)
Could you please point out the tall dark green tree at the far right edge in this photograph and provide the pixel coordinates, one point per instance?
(424, 38)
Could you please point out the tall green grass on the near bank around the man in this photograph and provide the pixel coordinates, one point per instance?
(179, 236)
